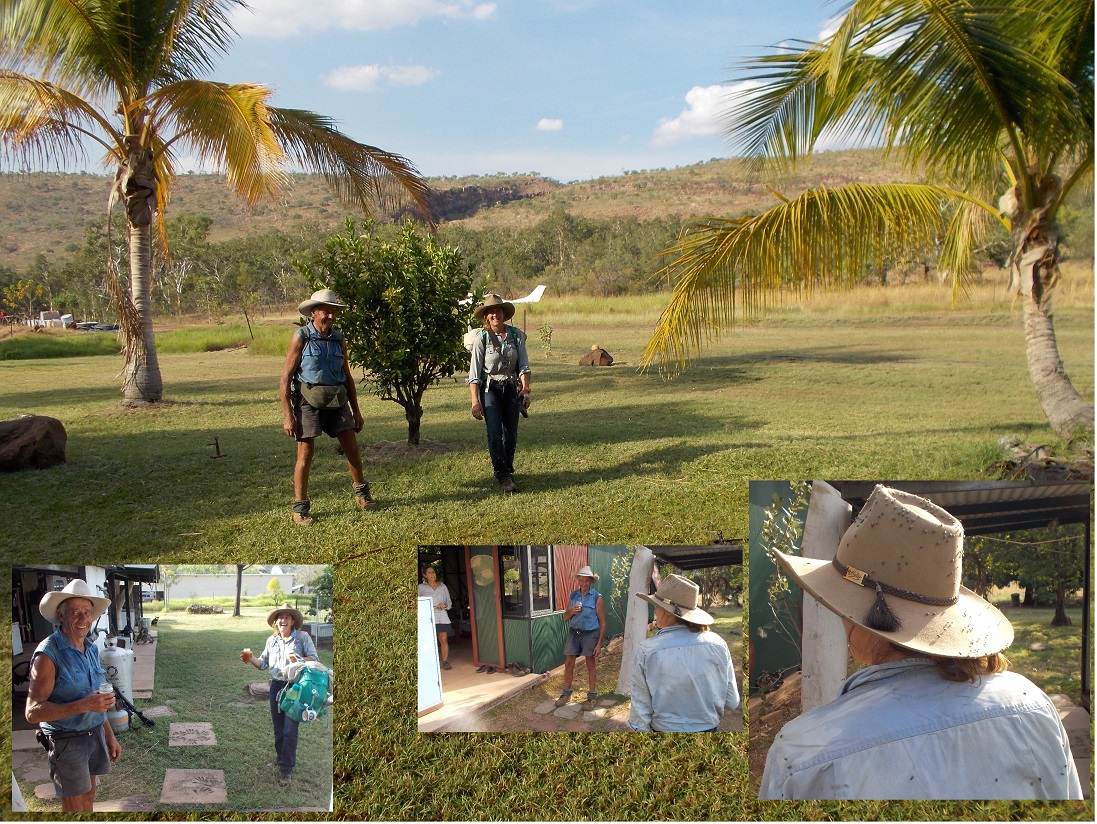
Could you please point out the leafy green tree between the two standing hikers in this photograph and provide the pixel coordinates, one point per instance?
(409, 310)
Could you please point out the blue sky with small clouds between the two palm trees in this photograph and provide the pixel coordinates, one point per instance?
(573, 89)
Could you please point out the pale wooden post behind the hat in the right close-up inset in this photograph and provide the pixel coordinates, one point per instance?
(825, 658)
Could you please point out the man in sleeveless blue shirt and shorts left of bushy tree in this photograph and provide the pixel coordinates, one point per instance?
(320, 397)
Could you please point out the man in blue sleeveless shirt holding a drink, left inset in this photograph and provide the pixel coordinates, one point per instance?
(65, 698)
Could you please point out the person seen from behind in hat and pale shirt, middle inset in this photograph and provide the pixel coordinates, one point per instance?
(683, 681)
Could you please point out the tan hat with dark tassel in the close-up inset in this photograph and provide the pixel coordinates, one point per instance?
(897, 574)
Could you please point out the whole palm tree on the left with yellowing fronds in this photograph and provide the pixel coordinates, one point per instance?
(126, 75)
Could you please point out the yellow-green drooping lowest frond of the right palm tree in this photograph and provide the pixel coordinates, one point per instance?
(722, 269)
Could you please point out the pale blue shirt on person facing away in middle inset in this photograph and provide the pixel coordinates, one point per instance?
(682, 682)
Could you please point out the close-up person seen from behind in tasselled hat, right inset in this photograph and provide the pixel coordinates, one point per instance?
(935, 716)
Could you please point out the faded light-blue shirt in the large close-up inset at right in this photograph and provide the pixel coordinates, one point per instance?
(900, 731)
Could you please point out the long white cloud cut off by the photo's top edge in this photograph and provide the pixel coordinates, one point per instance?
(288, 18)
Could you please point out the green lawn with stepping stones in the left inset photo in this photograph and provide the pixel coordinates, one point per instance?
(199, 675)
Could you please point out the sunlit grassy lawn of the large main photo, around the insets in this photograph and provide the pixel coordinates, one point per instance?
(608, 457)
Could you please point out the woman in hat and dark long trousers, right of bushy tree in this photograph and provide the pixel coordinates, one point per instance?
(500, 385)
